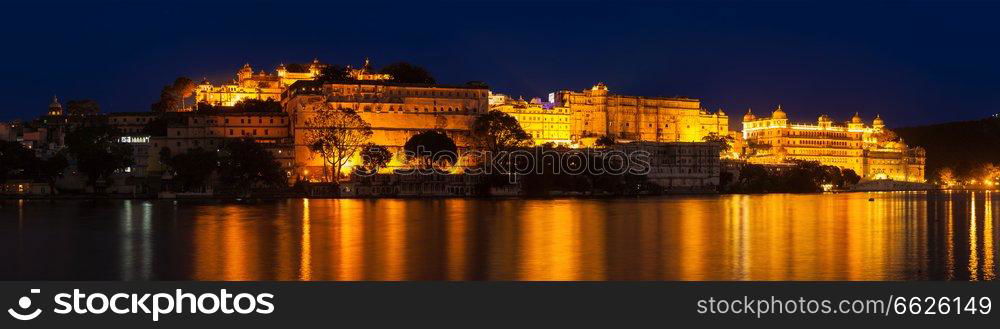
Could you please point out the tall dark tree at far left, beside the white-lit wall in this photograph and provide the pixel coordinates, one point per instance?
(98, 152)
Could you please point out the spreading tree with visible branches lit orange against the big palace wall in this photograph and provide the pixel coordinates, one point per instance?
(336, 135)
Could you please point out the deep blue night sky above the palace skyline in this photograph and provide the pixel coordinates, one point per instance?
(914, 63)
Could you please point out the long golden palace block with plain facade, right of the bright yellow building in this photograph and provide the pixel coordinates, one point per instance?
(596, 112)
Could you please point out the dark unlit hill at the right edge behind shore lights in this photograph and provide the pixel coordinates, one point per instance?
(962, 146)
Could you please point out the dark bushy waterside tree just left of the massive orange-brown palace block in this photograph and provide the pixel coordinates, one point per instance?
(244, 164)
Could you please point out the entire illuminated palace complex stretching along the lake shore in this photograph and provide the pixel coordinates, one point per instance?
(396, 111)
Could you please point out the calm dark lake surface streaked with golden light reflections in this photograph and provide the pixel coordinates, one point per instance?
(898, 236)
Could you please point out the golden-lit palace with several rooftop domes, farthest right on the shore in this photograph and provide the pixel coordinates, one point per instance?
(873, 152)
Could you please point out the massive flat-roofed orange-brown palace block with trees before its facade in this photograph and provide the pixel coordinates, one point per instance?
(395, 111)
